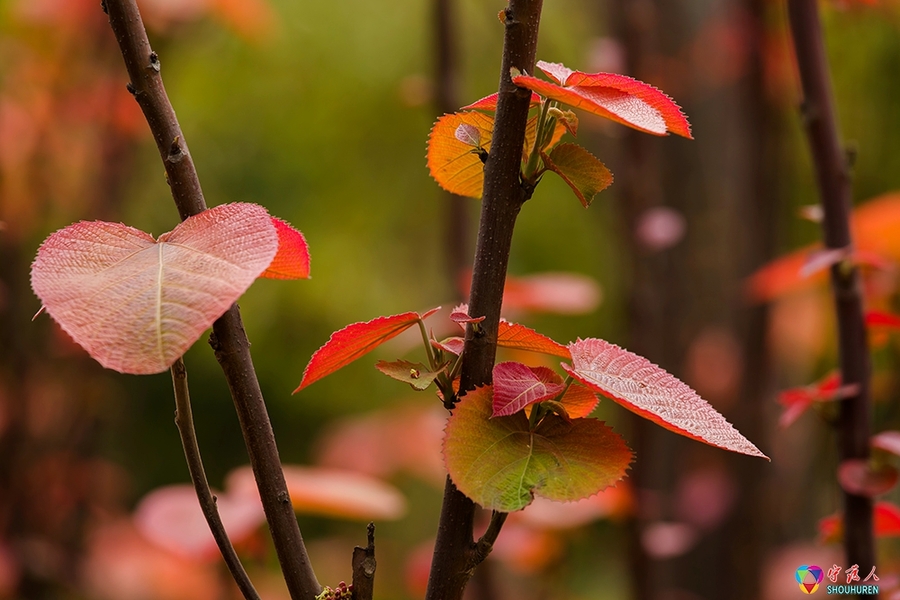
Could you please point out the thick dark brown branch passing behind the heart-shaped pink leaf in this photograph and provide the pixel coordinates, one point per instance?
(230, 341)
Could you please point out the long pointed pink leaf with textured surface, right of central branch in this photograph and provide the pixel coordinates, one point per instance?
(649, 391)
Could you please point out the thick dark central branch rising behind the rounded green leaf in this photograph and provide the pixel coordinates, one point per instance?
(503, 196)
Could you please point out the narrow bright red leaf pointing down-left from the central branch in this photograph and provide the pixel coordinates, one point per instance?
(354, 341)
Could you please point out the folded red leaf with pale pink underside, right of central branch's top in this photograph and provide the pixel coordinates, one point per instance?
(617, 97)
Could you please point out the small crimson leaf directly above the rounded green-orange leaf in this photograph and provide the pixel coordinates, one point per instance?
(517, 385)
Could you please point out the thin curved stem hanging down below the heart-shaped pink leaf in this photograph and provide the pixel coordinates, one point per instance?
(185, 422)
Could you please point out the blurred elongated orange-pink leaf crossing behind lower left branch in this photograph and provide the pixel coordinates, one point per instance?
(329, 492)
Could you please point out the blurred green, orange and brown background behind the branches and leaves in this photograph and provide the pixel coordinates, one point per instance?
(320, 112)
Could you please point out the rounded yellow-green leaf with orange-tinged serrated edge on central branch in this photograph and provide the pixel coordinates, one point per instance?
(501, 463)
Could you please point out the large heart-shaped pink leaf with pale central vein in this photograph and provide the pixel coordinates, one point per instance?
(136, 304)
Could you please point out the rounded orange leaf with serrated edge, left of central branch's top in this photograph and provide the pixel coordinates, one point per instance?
(454, 164)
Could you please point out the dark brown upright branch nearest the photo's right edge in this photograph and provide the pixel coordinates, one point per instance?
(833, 177)
